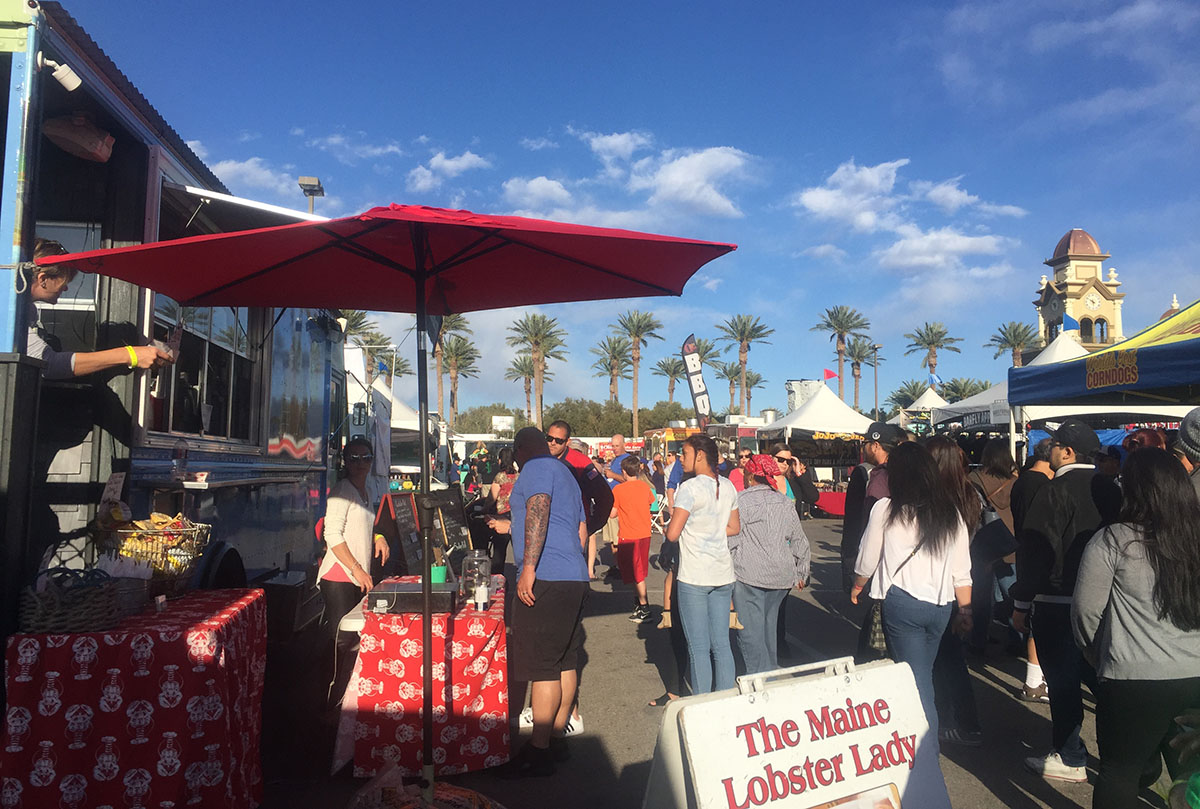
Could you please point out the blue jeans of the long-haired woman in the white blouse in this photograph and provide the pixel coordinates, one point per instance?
(915, 631)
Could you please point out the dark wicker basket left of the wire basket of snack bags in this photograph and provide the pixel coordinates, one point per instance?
(73, 602)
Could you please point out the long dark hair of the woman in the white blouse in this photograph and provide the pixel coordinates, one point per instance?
(919, 494)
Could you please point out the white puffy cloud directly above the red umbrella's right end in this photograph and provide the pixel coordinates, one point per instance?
(691, 181)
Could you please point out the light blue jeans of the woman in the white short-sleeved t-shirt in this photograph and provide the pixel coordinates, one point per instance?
(706, 625)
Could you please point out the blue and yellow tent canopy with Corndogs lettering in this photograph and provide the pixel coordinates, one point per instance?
(1160, 364)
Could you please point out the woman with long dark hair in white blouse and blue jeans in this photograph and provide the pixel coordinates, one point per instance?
(916, 547)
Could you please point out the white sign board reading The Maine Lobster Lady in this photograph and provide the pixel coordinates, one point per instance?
(854, 740)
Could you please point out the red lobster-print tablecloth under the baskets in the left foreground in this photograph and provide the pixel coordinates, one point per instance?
(165, 710)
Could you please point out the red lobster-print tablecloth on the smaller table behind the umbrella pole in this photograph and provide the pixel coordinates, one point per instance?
(382, 710)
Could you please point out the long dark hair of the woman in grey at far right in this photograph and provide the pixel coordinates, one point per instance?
(1160, 499)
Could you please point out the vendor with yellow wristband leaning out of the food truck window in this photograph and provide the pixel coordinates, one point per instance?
(46, 284)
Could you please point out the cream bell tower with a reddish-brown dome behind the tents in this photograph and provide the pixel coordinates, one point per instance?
(1079, 290)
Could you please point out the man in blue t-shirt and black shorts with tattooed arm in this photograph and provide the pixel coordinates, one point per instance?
(549, 529)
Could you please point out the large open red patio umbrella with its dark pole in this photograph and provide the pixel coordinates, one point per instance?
(410, 259)
